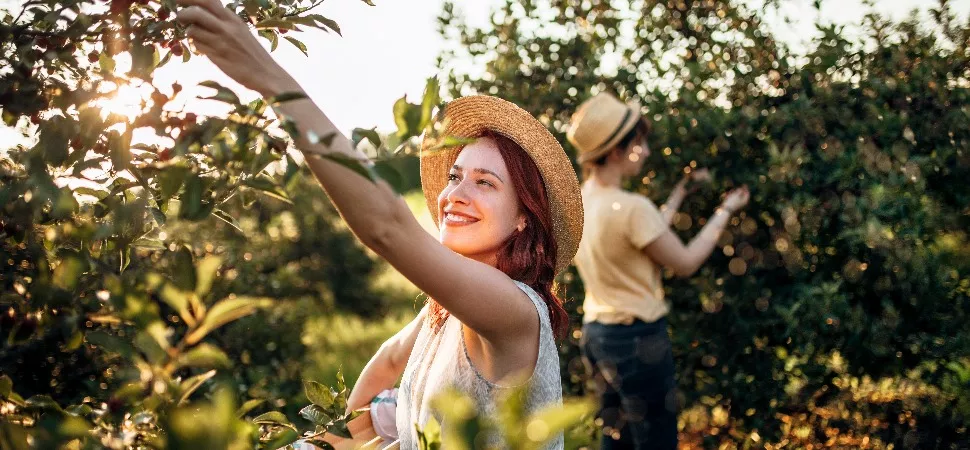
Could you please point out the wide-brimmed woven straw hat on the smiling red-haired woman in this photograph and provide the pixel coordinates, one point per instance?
(468, 117)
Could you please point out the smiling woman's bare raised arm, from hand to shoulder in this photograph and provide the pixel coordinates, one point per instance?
(471, 291)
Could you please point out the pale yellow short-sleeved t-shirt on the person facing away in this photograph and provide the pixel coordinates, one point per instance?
(622, 282)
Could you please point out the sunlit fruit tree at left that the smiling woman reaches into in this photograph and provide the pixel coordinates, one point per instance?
(108, 302)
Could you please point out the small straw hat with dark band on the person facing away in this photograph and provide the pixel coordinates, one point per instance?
(599, 124)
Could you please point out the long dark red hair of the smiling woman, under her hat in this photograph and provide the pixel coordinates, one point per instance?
(528, 256)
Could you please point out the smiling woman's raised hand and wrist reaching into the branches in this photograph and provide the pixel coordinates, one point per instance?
(222, 36)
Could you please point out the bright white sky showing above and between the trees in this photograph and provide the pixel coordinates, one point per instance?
(389, 50)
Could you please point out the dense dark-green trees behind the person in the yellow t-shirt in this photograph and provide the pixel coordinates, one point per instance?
(834, 309)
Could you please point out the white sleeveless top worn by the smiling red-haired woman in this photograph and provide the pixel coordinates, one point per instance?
(440, 360)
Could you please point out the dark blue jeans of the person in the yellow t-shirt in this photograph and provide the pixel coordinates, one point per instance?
(633, 368)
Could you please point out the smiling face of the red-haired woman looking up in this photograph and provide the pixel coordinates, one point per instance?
(478, 210)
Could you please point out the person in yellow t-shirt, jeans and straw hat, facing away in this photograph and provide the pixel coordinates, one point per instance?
(626, 241)
